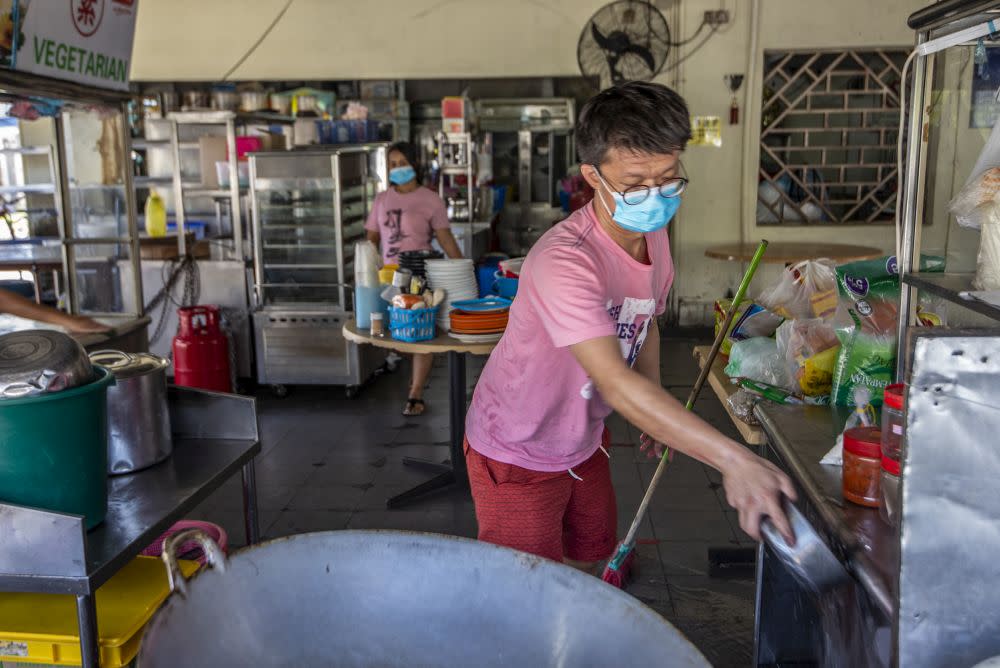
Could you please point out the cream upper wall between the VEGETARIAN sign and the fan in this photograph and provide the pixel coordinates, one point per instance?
(380, 39)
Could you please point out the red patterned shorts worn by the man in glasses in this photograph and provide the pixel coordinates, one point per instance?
(553, 515)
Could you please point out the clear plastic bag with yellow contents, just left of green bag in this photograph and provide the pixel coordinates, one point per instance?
(809, 349)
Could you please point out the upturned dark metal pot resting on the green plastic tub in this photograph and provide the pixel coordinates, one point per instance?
(36, 361)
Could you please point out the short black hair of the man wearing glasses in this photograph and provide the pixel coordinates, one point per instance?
(637, 116)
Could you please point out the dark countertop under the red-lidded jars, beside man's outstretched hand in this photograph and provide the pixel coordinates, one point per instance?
(800, 436)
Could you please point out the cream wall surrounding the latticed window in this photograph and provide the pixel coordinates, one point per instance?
(720, 205)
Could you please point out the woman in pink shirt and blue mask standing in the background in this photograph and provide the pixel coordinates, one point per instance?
(408, 217)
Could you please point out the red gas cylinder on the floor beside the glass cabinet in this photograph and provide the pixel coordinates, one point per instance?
(201, 350)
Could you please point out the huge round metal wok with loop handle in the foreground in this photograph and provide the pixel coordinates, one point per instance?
(388, 598)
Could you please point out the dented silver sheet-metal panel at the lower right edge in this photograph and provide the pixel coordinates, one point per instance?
(949, 605)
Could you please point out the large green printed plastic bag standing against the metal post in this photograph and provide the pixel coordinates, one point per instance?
(868, 324)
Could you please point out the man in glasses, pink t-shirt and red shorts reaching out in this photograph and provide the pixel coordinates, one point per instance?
(583, 340)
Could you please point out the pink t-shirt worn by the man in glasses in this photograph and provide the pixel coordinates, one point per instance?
(534, 405)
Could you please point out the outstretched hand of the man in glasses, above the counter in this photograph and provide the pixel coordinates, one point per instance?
(754, 487)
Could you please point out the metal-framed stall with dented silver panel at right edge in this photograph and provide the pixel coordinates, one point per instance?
(951, 375)
